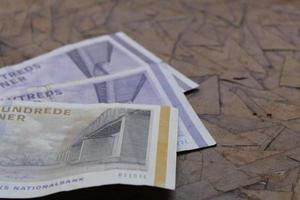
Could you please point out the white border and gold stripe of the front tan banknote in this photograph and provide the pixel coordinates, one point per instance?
(162, 164)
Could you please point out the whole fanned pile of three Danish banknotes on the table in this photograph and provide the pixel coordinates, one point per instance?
(101, 111)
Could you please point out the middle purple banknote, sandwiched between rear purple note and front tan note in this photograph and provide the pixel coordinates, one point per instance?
(137, 86)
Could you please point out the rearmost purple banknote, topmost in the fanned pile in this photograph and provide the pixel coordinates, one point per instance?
(90, 58)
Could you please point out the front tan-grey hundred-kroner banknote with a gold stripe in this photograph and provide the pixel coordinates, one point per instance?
(51, 147)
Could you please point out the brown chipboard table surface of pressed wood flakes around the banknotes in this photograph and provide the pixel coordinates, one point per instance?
(245, 56)
